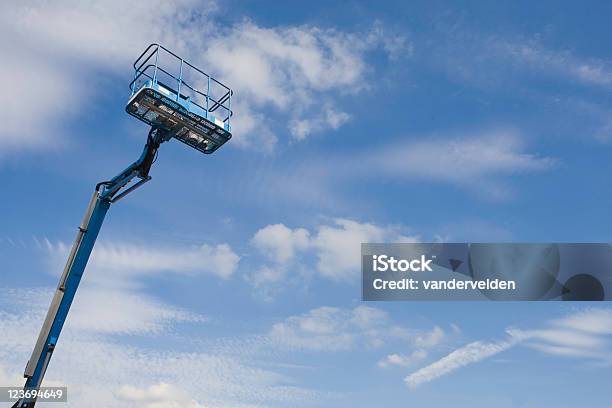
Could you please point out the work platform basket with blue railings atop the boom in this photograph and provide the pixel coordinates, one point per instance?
(171, 94)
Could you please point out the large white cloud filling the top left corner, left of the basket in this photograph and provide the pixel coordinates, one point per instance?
(50, 62)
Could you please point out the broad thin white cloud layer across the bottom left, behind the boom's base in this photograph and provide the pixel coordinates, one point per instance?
(155, 374)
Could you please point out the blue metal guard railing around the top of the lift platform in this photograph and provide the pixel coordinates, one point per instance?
(147, 71)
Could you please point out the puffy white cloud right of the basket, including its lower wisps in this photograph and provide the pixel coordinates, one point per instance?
(293, 69)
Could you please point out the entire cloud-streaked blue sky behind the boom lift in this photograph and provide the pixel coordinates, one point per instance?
(232, 280)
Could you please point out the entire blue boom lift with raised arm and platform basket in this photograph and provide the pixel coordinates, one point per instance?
(190, 106)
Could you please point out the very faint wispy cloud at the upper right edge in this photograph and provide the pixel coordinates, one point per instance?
(481, 59)
